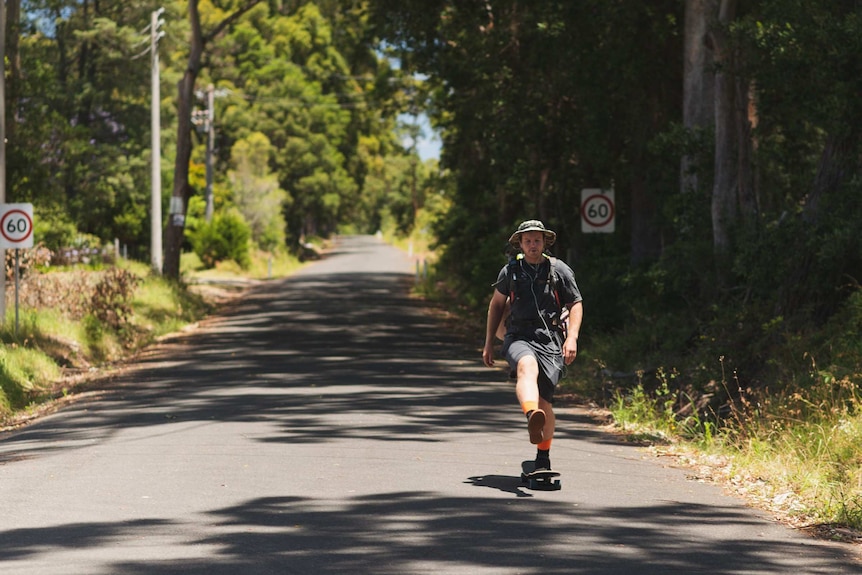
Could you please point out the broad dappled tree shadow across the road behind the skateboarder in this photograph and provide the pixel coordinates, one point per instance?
(296, 352)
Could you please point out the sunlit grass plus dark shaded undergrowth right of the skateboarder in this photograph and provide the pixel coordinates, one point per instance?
(787, 438)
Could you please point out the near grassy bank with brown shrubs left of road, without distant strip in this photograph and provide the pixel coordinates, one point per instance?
(52, 343)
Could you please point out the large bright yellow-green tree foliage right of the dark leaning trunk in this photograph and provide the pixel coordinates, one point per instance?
(291, 83)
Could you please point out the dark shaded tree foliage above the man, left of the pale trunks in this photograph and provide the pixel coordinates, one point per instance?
(522, 139)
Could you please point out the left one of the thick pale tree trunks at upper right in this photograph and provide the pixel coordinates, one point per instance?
(698, 109)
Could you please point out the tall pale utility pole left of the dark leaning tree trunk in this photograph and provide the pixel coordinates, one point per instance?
(155, 135)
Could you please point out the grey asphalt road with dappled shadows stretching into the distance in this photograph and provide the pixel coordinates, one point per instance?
(327, 423)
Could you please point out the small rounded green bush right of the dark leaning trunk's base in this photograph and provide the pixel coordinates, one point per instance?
(226, 237)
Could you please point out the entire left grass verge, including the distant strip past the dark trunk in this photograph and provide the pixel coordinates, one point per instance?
(83, 319)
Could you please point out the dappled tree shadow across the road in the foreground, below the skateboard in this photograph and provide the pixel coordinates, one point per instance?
(420, 532)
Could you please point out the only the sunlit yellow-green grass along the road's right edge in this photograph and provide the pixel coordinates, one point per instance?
(796, 453)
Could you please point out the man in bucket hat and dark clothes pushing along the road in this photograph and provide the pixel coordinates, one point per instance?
(541, 328)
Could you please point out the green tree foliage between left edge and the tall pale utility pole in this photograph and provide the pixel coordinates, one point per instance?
(81, 120)
